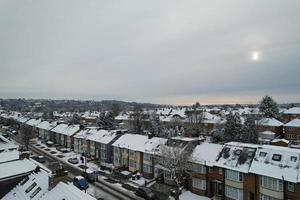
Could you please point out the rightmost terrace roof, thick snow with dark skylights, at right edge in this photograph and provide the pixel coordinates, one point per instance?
(277, 162)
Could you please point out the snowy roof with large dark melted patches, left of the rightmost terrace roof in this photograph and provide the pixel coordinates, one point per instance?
(236, 156)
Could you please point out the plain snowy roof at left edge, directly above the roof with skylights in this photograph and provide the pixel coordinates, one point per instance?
(16, 167)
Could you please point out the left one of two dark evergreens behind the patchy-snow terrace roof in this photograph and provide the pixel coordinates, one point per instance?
(233, 127)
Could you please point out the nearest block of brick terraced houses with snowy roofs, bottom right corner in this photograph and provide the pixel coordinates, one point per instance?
(245, 171)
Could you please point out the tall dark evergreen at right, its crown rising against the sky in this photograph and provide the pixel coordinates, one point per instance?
(269, 107)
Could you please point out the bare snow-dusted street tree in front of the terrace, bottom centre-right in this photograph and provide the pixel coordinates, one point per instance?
(175, 160)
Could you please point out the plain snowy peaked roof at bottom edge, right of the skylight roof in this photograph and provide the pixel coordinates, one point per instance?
(66, 191)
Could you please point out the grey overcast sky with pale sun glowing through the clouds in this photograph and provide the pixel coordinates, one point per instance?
(159, 51)
